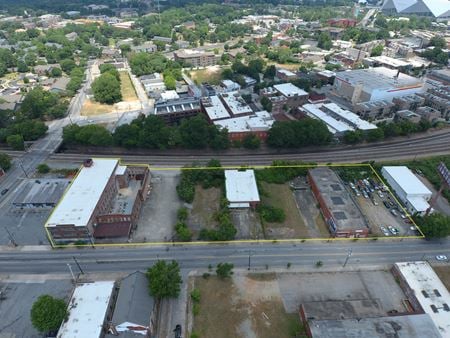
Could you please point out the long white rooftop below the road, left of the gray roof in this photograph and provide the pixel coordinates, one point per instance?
(87, 311)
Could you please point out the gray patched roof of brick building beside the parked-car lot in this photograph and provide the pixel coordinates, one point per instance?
(345, 212)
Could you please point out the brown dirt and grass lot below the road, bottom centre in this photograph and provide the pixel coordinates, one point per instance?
(243, 306)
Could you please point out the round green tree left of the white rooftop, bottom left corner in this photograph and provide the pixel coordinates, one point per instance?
(48, 313)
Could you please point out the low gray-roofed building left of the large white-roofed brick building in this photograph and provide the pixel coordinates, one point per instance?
(40, 193)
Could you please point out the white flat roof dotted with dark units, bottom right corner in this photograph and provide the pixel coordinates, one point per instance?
(430, 292)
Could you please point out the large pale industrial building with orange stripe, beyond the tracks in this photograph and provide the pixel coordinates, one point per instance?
(374, 84)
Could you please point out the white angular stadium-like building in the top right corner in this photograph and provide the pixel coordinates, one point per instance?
(439, 9)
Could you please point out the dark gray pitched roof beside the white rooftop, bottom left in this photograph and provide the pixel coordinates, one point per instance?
(133, 304)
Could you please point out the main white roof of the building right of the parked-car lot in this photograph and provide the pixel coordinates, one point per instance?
(405, 178)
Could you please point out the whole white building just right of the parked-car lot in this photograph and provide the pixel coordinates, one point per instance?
(409, 189)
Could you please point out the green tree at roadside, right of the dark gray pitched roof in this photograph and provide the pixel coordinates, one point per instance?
(164, 279)
